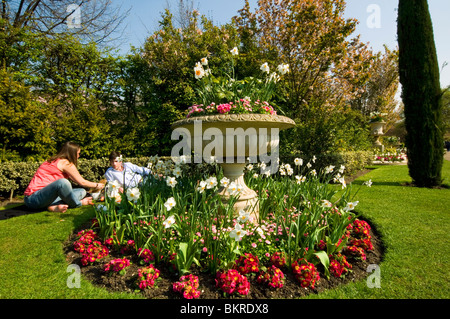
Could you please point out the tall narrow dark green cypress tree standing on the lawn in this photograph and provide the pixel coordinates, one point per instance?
(421, 92)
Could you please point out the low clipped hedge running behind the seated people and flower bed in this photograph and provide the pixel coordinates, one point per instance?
(15, 176)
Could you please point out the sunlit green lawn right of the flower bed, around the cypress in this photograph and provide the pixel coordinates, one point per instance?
(415, 226)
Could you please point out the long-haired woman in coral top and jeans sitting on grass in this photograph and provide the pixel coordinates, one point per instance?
(50, 186)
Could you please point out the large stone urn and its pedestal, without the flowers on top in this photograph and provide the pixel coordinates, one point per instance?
(234, 140)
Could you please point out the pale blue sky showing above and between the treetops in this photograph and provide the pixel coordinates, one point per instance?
(377, 21)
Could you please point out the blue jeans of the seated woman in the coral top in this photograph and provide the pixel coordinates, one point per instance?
(56, 193)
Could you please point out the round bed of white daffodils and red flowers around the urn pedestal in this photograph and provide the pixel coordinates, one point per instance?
(179, 240)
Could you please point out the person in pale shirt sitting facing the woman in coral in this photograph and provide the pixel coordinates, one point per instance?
(127, 175)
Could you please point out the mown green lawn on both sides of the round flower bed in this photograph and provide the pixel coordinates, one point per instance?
(413, 222)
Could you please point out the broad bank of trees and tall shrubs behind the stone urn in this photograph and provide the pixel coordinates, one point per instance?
(82, 93)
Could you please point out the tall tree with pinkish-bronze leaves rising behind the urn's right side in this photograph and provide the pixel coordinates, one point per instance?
(314, 39)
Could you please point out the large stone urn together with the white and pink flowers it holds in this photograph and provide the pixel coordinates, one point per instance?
(234, 125)
